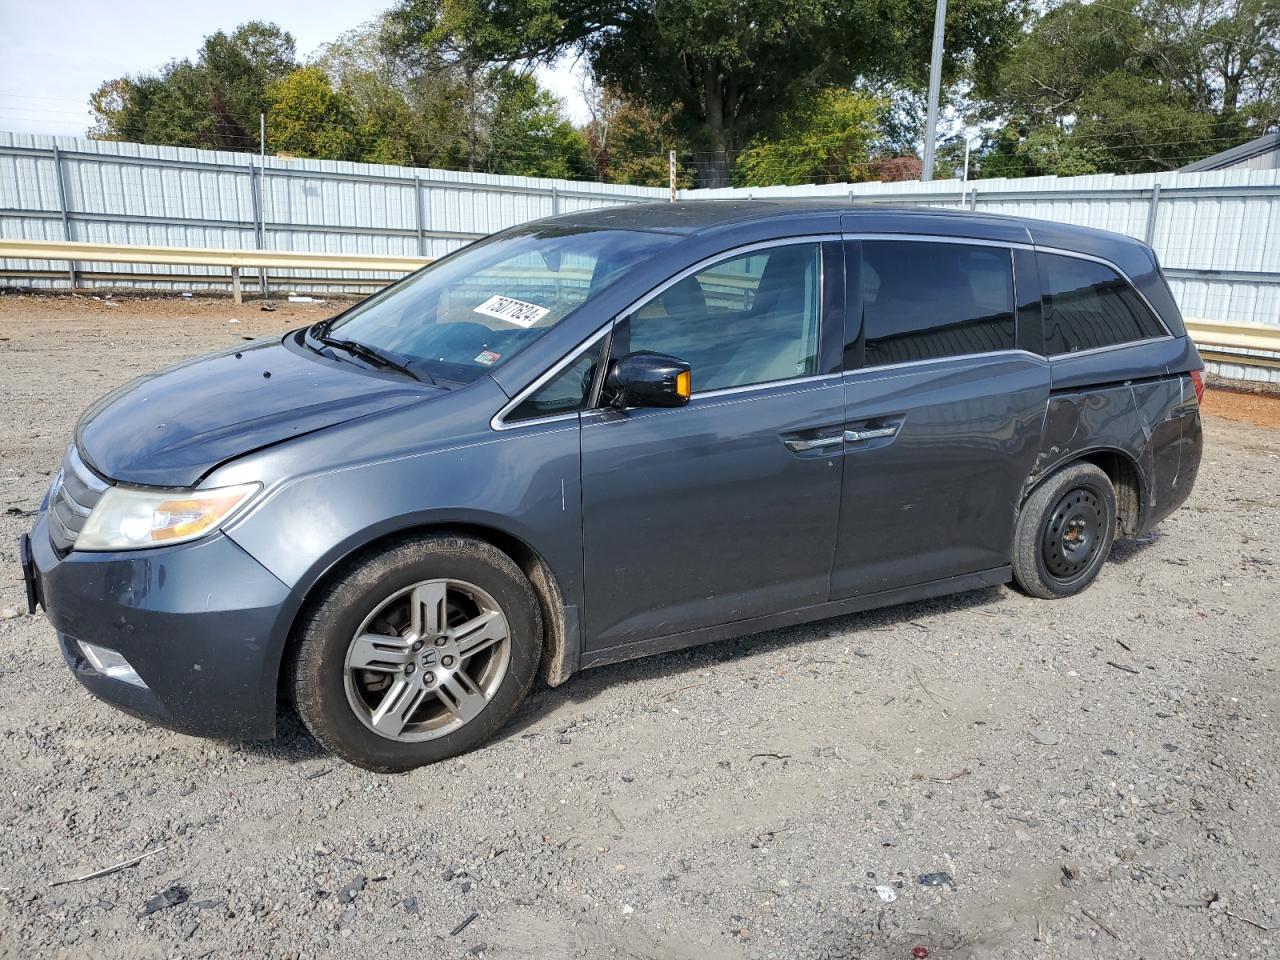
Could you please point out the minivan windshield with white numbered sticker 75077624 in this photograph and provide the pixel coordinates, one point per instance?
(477, 309)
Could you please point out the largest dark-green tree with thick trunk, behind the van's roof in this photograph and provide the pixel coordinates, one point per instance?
(725, 71)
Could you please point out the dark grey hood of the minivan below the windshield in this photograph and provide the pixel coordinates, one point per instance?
(172, 428)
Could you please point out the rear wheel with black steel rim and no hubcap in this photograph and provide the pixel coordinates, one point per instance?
(1066, 532)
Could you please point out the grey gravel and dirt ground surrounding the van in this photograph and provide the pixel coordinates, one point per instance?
(1087, 779)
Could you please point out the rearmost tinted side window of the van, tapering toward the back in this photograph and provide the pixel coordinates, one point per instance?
(1089, 305)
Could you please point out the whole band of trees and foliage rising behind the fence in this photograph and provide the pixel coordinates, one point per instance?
(751, 92)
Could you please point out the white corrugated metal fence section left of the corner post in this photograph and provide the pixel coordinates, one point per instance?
(100, 191)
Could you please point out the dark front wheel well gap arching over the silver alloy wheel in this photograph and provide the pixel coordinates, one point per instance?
(560, 639)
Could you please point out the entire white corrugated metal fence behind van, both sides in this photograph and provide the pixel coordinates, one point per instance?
(1217, 234)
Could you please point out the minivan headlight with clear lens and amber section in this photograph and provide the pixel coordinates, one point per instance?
(131, 518)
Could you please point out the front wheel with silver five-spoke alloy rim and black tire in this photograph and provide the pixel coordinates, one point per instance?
(418, 653)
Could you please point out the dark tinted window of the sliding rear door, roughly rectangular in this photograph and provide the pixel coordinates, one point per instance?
(935, 300)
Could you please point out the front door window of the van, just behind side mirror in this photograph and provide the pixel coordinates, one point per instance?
(746, 321)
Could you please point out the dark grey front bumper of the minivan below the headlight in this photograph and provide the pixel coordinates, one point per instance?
(203, 624)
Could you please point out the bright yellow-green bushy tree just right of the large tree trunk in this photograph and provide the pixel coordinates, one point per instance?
(829, 140)
